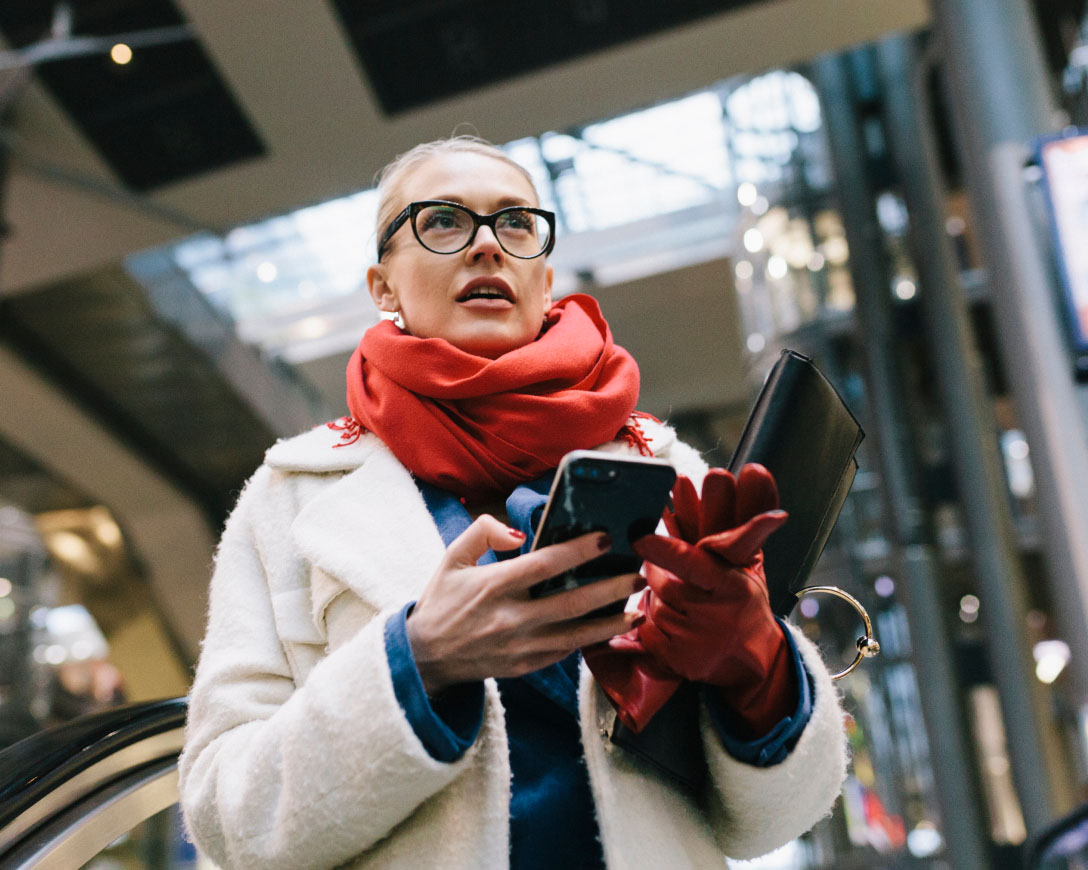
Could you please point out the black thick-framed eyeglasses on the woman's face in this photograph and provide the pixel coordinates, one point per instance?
(449, 228)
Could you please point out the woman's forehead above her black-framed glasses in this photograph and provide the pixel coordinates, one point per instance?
(479, 181)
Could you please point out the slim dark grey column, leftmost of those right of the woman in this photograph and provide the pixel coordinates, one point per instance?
(889, 427)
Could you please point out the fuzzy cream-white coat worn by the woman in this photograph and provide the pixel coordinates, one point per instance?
(299, 756)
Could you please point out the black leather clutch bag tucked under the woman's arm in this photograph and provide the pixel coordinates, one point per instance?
(803, 433)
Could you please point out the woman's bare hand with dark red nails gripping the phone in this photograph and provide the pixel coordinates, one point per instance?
(477, 622)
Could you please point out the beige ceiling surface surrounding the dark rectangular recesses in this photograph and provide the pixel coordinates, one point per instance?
(294, 70)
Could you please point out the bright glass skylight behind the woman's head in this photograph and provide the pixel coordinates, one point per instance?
(650, 191)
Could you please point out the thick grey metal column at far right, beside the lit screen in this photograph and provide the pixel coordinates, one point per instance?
(1002, 100)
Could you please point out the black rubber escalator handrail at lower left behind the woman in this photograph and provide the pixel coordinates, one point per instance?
(36, 766)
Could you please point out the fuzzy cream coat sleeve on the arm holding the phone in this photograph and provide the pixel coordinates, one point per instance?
(279, 776)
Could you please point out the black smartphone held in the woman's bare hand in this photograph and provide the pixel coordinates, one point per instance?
(599, 492)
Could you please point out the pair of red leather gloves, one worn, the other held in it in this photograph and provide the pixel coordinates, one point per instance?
(708, 613)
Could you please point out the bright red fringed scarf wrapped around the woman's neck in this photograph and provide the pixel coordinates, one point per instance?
(477, 427)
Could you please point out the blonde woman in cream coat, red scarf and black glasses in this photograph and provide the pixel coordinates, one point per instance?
(377, 689)
